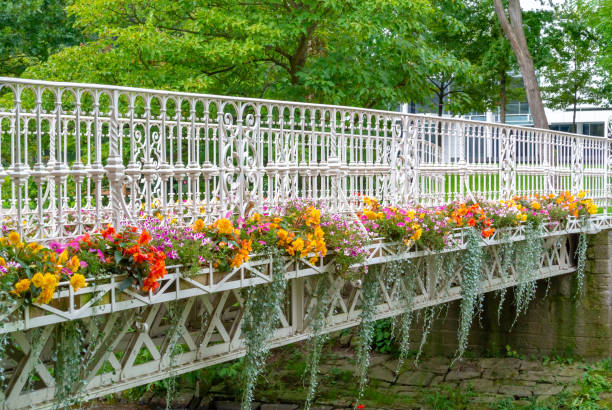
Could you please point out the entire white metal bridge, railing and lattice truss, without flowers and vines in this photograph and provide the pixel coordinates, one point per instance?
(78, 156)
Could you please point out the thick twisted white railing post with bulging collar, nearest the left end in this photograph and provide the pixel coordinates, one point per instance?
(114, 164)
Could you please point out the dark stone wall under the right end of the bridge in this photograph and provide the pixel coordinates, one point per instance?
(556, 323)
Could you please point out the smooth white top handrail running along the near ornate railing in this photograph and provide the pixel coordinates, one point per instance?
(172, 93)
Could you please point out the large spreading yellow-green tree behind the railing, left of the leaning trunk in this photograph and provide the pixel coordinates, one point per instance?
(364, 52)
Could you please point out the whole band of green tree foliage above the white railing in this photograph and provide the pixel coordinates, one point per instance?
(370, 53)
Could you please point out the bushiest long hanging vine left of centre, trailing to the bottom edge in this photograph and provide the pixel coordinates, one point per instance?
(262, 305)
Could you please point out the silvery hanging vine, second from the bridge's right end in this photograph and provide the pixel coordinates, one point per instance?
(528, 255)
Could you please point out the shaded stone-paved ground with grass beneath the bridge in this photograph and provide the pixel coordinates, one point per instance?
(478, 383)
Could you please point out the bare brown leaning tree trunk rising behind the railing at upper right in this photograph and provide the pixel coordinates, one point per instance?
(513, 28)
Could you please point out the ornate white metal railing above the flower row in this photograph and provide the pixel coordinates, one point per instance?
(77, 156)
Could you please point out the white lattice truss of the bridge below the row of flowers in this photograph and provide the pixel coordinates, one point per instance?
(134, 347)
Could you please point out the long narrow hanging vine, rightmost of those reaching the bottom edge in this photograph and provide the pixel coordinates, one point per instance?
(369, 297)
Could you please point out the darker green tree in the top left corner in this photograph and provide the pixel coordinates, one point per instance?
(31, 30)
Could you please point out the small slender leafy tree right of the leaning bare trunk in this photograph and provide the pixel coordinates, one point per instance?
(572, 74)
